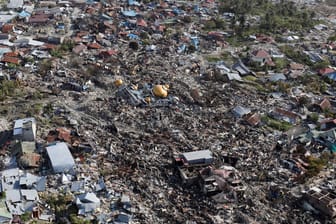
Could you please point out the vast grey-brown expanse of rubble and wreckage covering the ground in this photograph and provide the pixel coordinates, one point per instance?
(134, 135)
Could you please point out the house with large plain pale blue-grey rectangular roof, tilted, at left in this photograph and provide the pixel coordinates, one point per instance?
(60, 158)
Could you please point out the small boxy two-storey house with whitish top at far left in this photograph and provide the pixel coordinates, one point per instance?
(25, 129)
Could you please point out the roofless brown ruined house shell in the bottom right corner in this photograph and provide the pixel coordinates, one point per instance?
(322, 200)
